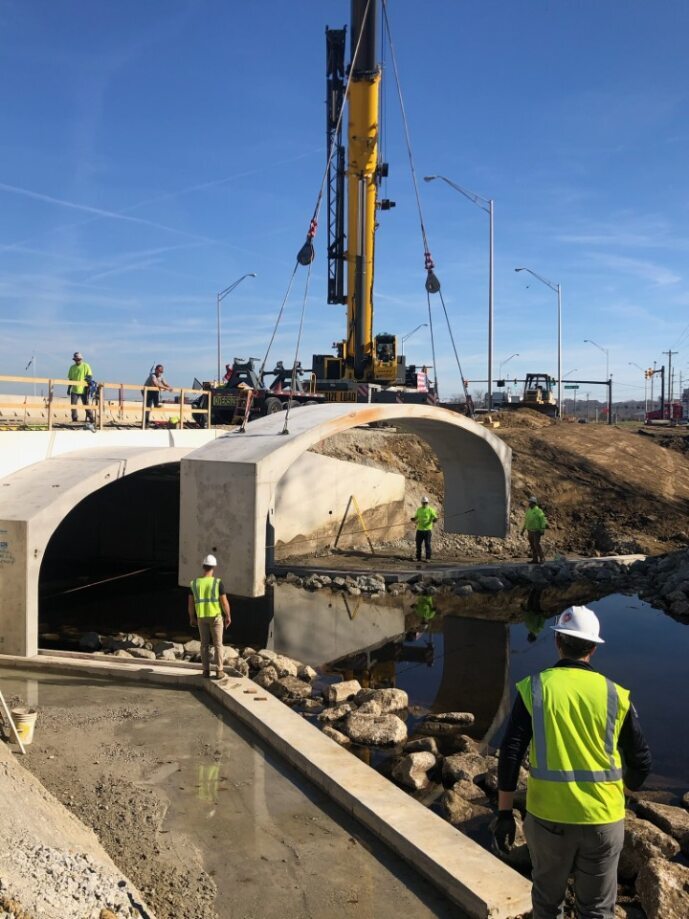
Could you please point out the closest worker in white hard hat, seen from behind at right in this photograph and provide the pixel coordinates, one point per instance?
(586, 744)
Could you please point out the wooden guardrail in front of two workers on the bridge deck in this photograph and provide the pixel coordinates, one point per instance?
(178, 412)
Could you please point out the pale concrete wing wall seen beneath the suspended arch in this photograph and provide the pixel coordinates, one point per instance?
(312, 496)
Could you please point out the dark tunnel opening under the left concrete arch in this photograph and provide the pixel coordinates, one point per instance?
(111, 564)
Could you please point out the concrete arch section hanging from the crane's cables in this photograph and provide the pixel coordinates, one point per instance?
(228, 487)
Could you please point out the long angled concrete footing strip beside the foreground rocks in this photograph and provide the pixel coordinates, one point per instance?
(466, 873)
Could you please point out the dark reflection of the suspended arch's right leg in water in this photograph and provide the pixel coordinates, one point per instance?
(475, 672)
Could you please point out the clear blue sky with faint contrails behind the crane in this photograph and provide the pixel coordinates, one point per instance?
(151, 153)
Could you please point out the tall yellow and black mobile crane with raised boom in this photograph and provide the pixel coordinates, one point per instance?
(354, 176)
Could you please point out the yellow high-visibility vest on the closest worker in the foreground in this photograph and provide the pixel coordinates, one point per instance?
(575, 766)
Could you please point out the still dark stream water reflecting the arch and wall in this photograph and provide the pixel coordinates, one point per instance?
(449, 655)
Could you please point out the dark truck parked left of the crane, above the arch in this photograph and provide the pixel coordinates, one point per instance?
(245, 395)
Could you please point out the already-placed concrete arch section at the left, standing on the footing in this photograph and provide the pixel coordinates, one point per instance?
(33, 503)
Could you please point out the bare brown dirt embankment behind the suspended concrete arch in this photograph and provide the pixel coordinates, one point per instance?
(604, 489)
